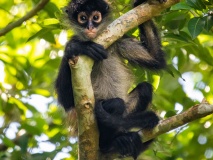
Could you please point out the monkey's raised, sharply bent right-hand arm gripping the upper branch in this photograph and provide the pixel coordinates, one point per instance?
(148, 52)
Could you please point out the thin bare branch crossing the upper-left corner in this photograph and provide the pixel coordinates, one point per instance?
(29, 15)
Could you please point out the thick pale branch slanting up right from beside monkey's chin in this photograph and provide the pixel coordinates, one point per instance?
(130, 20)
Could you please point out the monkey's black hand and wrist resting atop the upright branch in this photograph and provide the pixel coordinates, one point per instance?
(76, 47)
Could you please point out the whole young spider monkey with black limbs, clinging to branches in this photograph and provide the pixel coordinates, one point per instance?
(117, 112)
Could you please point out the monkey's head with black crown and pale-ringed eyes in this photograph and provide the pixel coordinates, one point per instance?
(87, 16)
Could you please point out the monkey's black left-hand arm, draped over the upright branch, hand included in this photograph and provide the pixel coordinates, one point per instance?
(63, 84)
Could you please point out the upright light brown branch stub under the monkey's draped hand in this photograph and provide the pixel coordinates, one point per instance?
(88, 134)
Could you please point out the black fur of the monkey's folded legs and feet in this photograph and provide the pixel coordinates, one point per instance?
(114, 125)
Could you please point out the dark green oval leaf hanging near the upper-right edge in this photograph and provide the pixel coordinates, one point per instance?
(195, 26)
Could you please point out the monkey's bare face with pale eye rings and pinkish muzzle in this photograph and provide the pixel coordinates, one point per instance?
(90, 23)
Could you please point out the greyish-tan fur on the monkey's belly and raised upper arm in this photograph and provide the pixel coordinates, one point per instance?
(111, 78)
